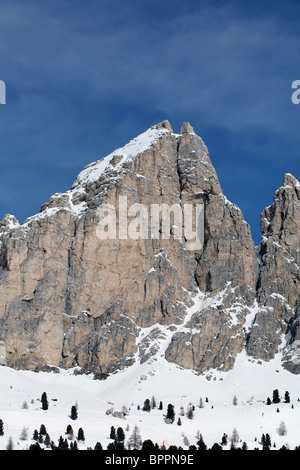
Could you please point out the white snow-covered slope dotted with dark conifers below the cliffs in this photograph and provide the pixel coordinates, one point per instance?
(250, 381)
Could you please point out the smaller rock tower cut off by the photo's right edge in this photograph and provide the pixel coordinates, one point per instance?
(276, 324)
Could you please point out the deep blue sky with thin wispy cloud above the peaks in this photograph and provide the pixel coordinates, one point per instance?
(85, 76)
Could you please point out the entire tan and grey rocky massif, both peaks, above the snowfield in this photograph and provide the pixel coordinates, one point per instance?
(107, 274)
